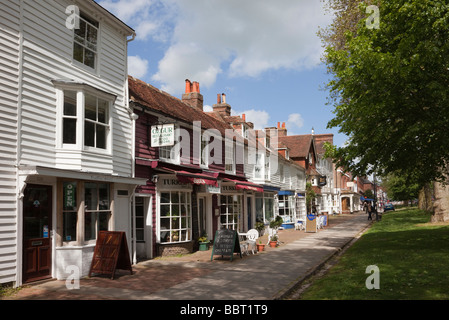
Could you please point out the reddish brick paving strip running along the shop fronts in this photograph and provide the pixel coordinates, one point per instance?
(152, 276)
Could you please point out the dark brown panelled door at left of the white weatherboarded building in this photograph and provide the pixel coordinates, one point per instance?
(37, 213)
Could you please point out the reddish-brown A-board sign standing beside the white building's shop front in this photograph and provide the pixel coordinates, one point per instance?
(111, 253)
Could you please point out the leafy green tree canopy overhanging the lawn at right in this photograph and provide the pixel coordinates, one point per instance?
(390, 89)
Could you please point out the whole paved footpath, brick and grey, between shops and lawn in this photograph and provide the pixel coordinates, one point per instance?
(268, 275)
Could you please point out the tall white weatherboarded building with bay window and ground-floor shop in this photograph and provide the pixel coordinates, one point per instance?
(66, 136)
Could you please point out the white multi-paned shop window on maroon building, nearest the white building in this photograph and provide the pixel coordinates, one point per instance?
(175, 216)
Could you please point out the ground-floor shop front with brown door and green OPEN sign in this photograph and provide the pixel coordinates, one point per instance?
(62, 213)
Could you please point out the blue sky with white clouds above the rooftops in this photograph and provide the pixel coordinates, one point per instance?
(263, 54)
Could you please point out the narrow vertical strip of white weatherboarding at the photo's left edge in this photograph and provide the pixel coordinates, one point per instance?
(9, 93)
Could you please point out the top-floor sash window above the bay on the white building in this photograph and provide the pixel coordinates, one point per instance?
(85, 41)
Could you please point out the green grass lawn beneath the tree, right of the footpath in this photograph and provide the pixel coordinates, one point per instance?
(411, 254)
